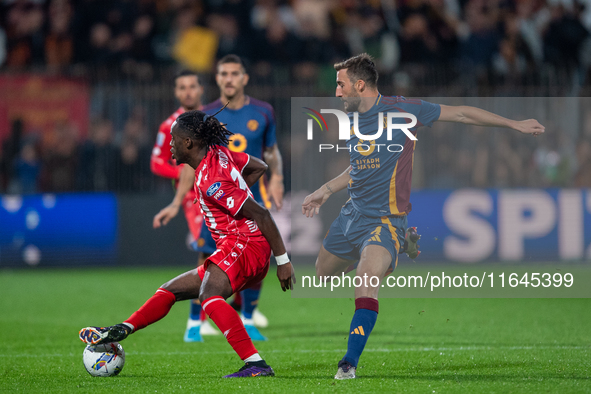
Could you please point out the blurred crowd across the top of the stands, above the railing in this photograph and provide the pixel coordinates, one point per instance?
(507, 39)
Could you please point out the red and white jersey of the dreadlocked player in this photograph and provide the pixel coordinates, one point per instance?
(222, 192)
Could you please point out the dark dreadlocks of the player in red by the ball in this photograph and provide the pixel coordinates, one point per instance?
(205, 128)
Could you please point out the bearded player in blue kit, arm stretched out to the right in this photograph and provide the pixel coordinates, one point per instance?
(372, 225)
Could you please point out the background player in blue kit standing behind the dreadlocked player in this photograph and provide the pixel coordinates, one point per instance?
(253, 124)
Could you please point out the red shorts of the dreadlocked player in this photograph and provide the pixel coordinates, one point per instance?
(245, 261)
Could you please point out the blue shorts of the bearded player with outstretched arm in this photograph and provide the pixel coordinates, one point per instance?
(351, 232)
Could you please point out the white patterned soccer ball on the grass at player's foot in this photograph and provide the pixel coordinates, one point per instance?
(104, 360)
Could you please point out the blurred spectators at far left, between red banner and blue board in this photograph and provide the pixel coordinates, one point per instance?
(58, 162)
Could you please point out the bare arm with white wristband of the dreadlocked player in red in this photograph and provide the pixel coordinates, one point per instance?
(264, 220)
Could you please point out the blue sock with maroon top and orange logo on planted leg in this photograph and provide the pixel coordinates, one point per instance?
(366, 314)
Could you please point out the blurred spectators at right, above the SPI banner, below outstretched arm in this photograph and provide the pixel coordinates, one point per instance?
(449, 159)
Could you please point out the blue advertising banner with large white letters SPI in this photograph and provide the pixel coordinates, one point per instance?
(529, 225)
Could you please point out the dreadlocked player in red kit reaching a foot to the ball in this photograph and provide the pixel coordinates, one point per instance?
(244, 231)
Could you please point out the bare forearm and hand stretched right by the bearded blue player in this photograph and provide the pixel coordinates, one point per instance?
(479, 117)
